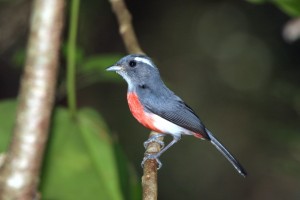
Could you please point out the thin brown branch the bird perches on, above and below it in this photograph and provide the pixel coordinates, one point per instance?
(149, 179)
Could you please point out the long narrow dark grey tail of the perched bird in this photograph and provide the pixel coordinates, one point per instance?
(227, 154)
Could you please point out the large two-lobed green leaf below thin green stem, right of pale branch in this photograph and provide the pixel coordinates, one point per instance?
(80, 162)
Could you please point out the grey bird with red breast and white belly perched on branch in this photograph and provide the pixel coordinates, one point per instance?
(159, 109)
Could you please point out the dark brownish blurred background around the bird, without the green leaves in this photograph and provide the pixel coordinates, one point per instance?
(226, 59)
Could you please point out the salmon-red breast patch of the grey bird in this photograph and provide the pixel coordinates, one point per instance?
(138, 112)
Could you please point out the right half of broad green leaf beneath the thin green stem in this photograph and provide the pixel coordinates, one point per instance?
(100, 147)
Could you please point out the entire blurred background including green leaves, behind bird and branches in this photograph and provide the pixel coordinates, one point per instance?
(227, 59)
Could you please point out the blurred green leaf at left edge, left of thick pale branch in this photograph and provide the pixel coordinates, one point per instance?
(7, 116)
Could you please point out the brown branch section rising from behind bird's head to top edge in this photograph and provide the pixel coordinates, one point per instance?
(125, 26)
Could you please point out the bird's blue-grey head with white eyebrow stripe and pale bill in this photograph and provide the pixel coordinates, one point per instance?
(137, 70)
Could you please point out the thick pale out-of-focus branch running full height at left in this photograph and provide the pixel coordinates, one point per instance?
(19, 174)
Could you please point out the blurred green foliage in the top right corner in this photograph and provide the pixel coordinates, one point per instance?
(290, 7)
